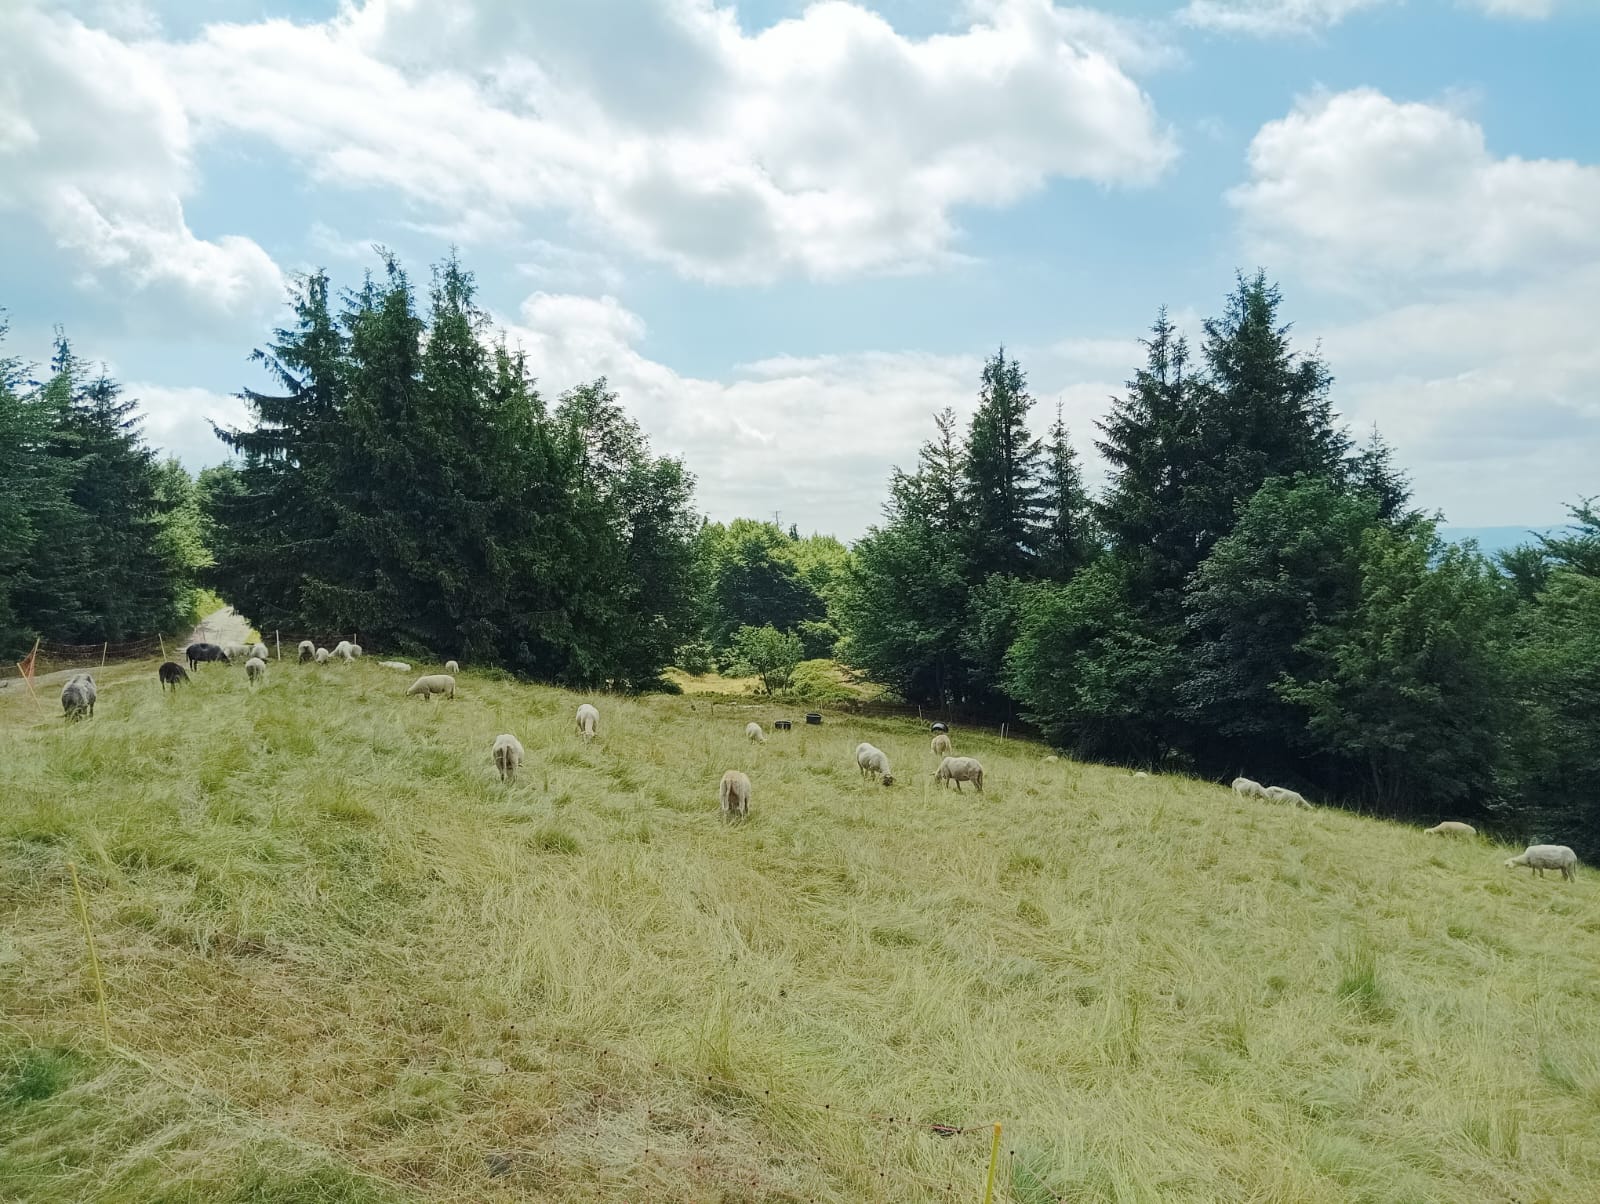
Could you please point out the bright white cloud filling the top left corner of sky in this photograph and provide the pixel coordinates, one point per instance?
(95, 148)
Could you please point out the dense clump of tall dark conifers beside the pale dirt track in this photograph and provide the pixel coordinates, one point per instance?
(410, 484)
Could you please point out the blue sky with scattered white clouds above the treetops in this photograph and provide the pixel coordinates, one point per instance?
(790, 233)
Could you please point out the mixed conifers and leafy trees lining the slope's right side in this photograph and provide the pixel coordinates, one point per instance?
(1252, 593)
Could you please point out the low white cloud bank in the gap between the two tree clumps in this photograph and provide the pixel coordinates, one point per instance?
(815, 436)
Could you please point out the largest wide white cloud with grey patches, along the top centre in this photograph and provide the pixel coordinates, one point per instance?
(828, 145)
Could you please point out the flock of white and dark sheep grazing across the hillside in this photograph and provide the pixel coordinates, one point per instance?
(734, 792)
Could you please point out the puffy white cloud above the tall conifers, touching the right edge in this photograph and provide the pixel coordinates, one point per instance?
(1361, 188)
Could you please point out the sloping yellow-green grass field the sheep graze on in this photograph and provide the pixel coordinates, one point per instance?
(346, 965)
